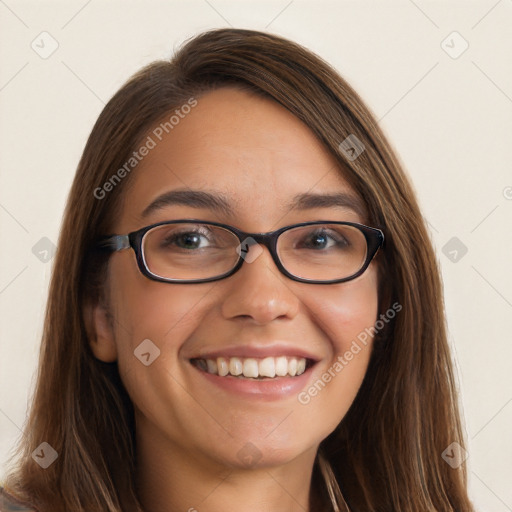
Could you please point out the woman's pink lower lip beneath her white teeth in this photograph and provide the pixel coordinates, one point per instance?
(268, 389)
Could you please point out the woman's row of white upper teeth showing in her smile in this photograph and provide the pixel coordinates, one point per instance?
(250, 367)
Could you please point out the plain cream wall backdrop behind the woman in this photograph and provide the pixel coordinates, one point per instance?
(437, 75)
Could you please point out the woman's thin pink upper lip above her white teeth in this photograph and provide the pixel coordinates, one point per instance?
(257, 351)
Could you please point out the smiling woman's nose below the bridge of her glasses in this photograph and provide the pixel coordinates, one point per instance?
(258, 291)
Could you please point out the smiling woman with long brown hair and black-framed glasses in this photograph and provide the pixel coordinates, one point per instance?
(190, 362)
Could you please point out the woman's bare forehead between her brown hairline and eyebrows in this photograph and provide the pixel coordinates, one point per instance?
(248, 148)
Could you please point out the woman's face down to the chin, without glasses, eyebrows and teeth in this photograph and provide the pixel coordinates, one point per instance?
(259, 157)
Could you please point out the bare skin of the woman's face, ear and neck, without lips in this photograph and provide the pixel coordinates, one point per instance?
(188, 432)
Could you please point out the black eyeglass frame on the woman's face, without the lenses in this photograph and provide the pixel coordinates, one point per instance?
(112, 243)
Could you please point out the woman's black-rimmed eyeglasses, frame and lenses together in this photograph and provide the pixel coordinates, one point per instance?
(194, 251)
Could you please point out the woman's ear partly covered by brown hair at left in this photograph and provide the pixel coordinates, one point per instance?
(100, 332)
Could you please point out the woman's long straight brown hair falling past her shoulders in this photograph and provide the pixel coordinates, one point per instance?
(386, 454)
